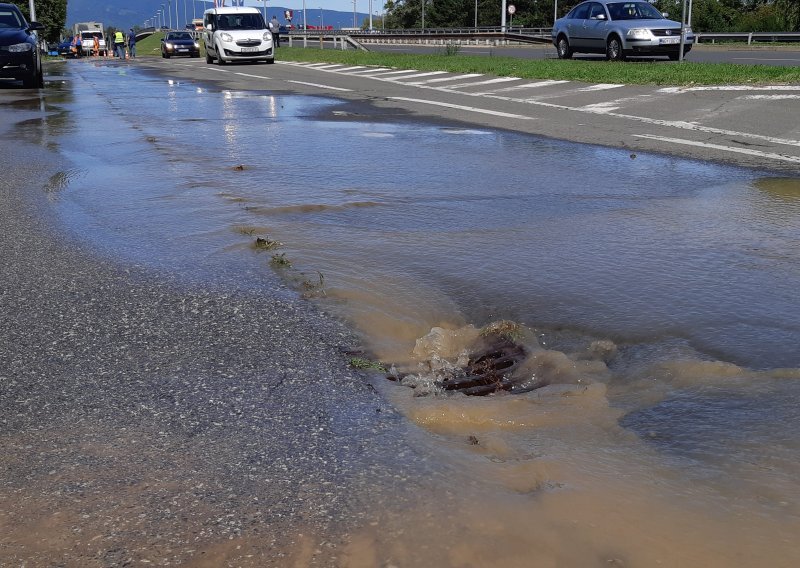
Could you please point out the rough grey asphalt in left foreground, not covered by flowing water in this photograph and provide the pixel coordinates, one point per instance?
(144, 419)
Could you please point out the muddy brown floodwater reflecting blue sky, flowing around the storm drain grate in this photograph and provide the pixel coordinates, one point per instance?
(658, 299)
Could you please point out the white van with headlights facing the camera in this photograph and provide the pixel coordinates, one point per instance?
(236, 34)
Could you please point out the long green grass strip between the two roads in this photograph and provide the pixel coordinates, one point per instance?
(597, 71)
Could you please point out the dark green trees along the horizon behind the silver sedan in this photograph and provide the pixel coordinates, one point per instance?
(707, 15)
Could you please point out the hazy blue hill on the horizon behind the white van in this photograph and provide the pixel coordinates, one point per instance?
(126, 14)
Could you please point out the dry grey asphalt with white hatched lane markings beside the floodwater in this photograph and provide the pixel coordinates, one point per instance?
(752, 126)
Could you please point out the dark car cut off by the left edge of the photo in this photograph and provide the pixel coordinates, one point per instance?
(20, 56)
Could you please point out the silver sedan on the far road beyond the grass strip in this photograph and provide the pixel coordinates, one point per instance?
(619, 29)
